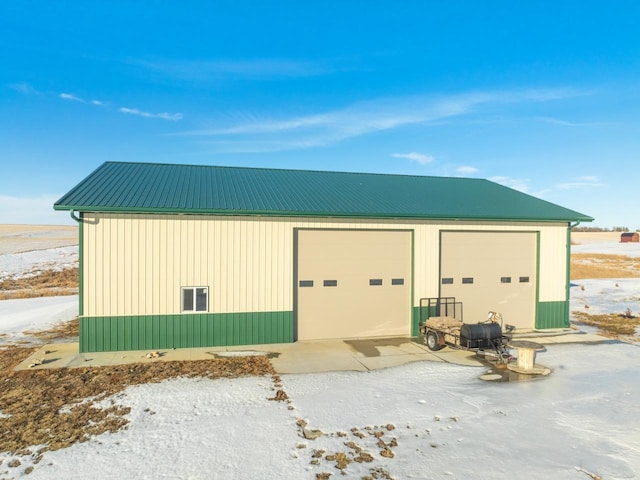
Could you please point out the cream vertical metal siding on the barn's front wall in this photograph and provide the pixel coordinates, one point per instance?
(136, 264)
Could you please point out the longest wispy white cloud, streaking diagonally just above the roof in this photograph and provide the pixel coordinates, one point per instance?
(362, 118)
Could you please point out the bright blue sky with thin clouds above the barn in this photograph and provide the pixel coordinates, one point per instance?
(541, 96)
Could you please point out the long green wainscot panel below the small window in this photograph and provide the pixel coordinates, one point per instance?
(154, 332)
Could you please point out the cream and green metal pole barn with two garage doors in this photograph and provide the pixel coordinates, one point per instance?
(190, 256)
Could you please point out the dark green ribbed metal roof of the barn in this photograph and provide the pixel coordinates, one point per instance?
(160, 188)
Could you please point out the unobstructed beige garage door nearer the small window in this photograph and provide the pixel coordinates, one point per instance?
(353, 283)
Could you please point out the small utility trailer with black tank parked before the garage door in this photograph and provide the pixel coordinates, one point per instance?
(442, 326)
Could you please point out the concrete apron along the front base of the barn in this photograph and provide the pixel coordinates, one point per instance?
(299, 357)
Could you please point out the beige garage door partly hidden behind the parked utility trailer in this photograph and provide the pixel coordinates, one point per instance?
(491, 271)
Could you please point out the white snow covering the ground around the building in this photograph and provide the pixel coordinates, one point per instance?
(447, 422)
